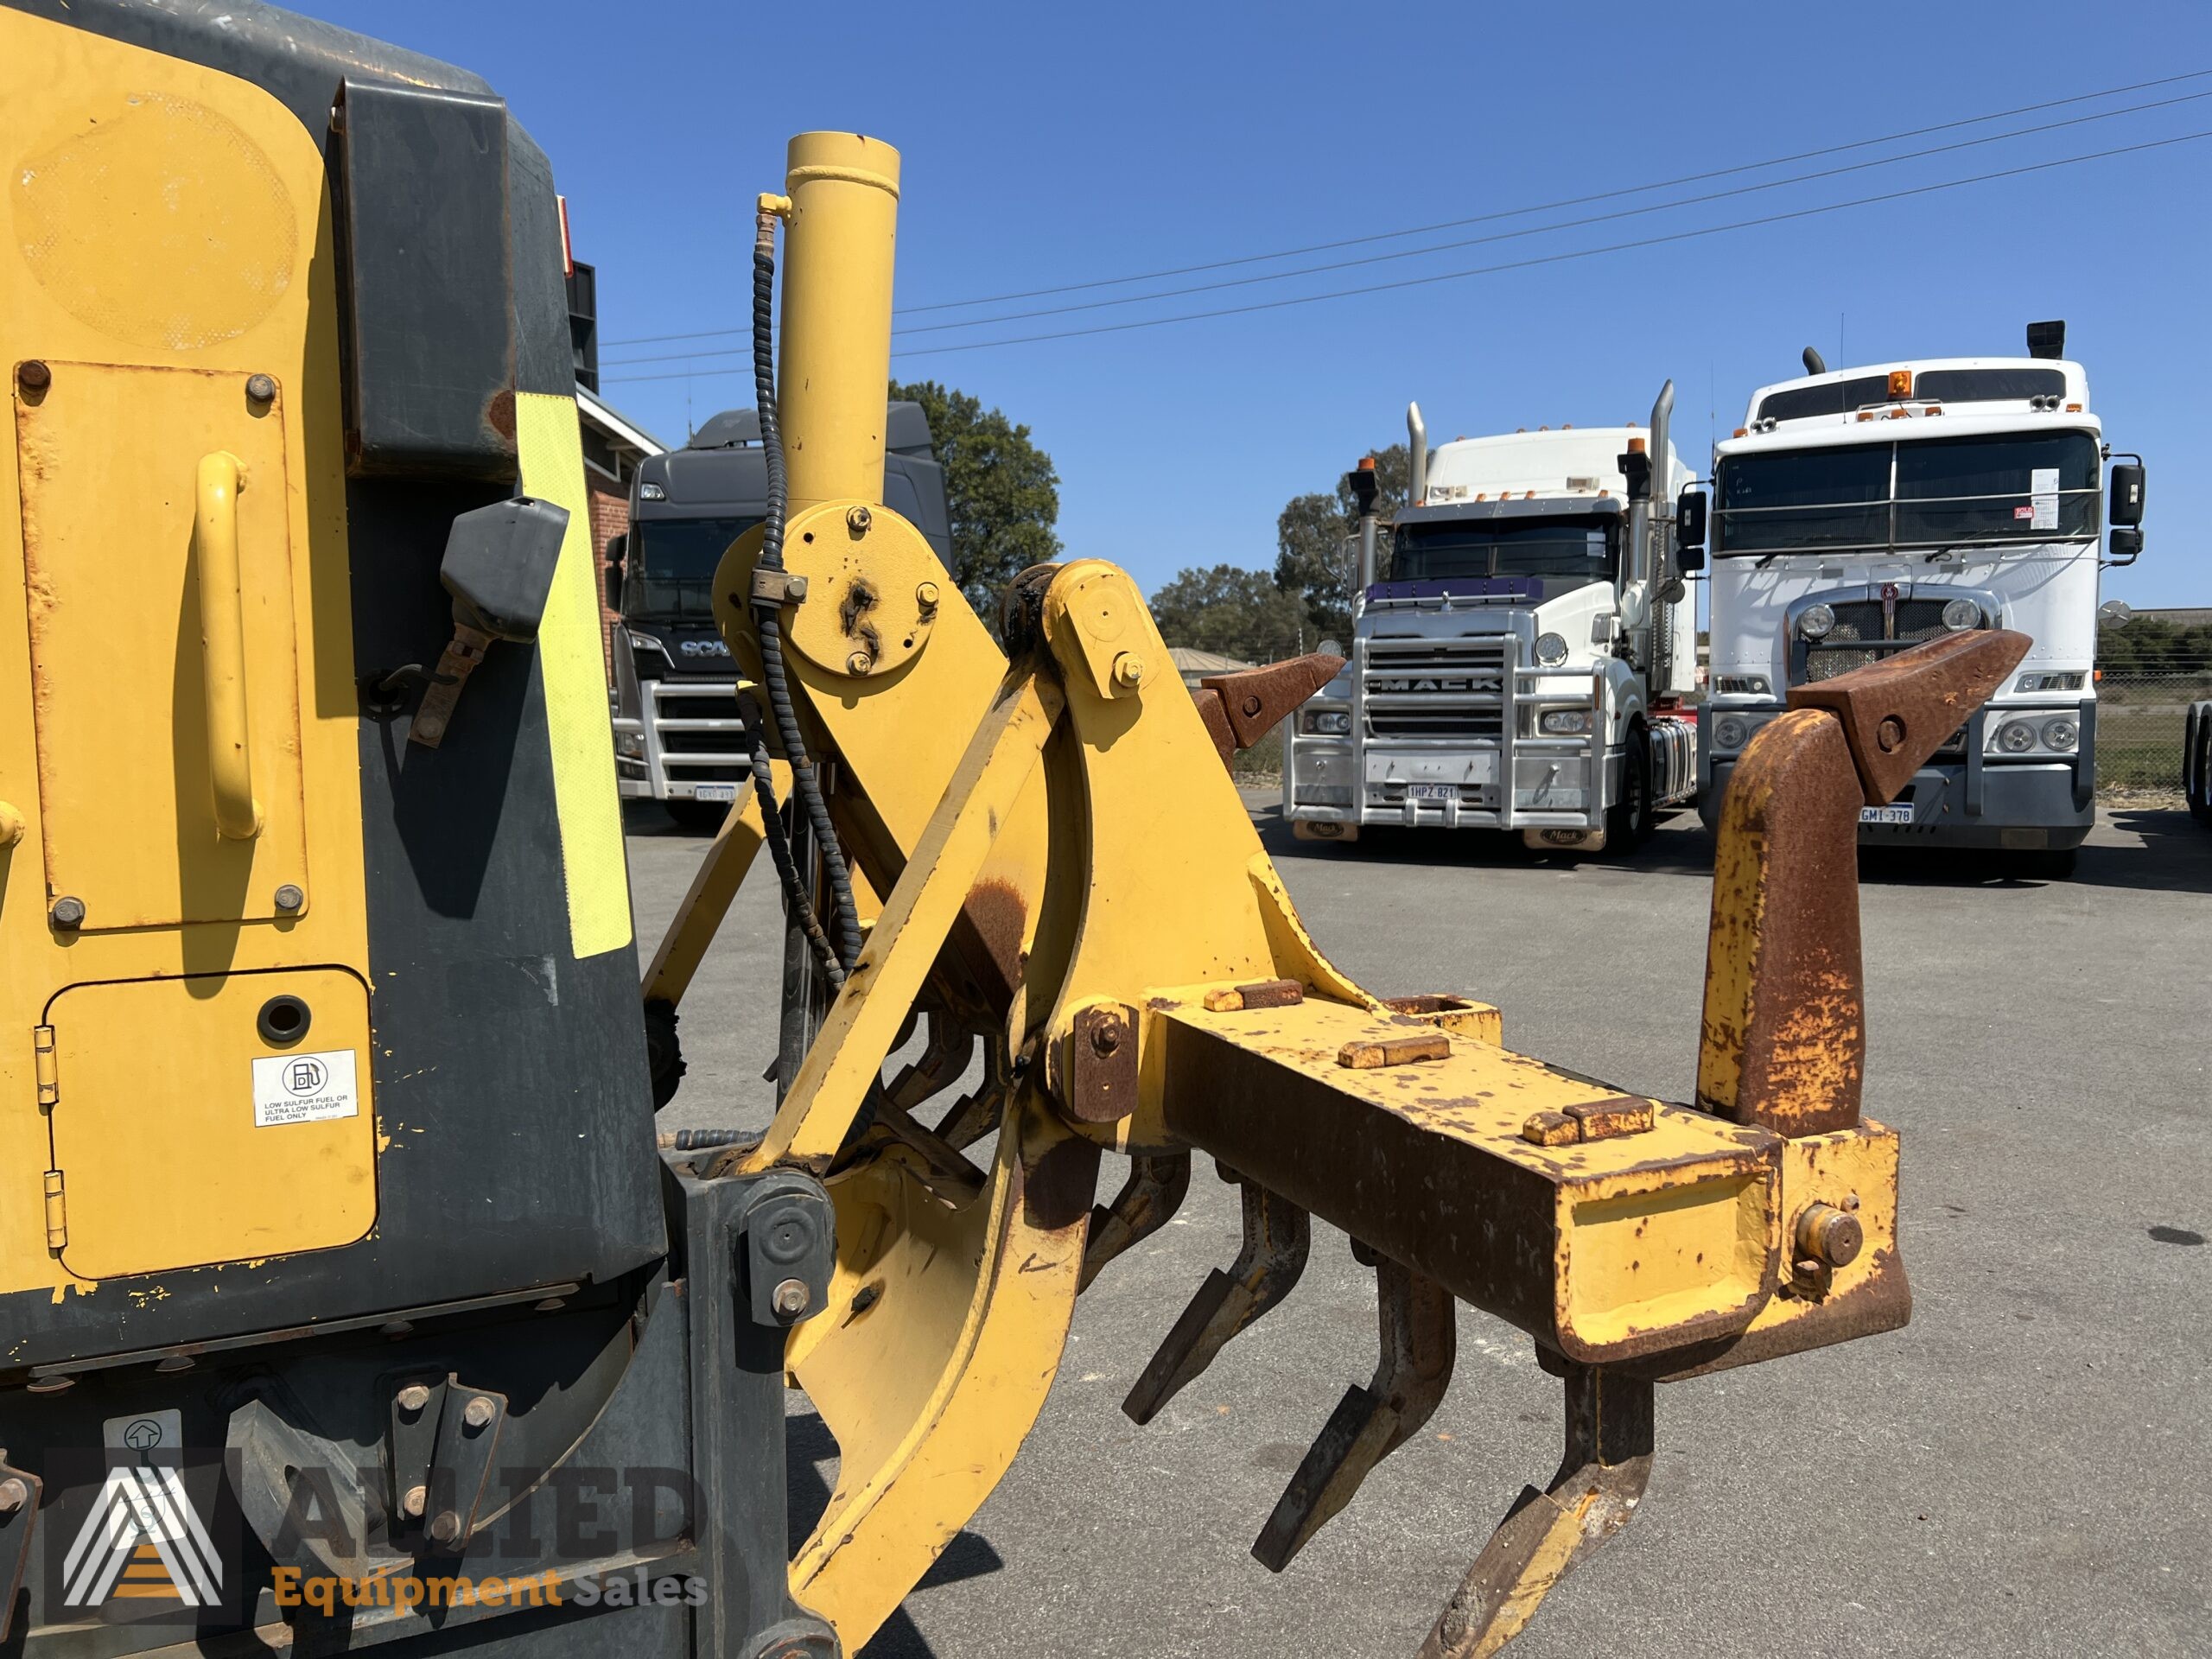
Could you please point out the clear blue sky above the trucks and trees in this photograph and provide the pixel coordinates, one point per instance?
(1063, 145)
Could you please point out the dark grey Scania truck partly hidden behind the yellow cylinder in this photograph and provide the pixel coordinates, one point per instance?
(678, 738)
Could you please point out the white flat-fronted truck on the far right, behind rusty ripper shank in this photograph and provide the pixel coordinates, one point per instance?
(1859, 512)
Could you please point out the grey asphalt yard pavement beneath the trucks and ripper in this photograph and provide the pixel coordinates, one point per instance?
(2025, 1470)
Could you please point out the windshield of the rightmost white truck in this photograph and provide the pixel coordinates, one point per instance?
(1934, 494)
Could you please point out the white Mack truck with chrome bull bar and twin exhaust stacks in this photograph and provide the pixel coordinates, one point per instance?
(1521, 654)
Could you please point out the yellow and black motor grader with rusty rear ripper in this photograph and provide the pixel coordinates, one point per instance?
(346, 1295)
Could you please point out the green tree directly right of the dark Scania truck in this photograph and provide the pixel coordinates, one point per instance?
(999, 486)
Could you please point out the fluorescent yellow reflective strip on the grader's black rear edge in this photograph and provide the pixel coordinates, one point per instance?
(574, 669)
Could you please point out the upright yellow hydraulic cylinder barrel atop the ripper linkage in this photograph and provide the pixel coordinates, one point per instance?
(837, 315)
